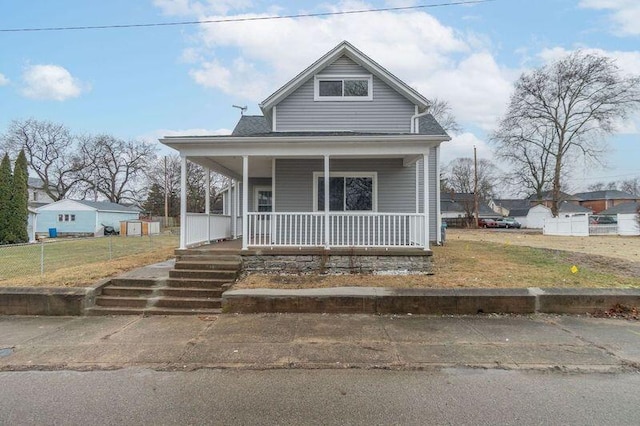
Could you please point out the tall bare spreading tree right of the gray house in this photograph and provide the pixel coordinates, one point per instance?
(576, 102)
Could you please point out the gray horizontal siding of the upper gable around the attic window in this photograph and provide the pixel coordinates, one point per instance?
(387, 112)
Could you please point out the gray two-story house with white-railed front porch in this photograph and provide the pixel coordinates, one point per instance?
(345, 134)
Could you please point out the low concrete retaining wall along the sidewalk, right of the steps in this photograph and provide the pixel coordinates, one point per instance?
(372, 300)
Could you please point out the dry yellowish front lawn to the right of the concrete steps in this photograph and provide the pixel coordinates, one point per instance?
(491, 259)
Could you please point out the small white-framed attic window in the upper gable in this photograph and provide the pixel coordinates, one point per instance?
(343, 88)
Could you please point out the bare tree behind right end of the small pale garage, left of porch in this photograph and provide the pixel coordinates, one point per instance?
(114, 167)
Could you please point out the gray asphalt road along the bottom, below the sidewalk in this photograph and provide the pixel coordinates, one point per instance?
(297, 397)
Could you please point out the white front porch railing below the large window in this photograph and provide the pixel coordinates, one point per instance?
(345, 229)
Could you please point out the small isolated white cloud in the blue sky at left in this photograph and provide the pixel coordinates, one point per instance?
(50, 82)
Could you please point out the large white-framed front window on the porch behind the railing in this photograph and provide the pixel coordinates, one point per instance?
(347, 192)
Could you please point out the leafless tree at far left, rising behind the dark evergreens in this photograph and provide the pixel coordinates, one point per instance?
(50, 152)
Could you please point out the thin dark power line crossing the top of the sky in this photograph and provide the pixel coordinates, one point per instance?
(248, 19)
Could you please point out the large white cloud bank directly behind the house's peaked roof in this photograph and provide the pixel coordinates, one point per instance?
(435, 59)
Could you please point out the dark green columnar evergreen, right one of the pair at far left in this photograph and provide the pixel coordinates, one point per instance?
(19, 201)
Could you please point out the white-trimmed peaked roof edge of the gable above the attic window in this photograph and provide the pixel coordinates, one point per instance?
(344, 49)
